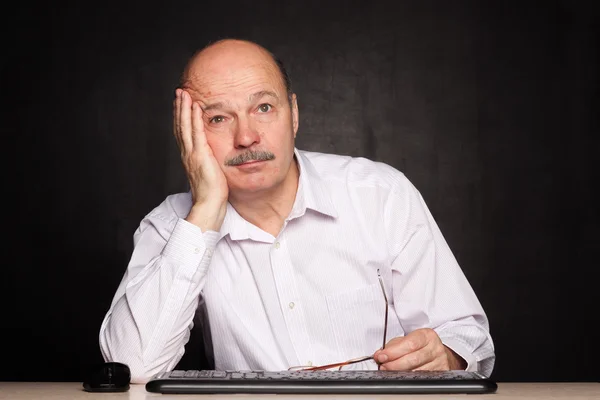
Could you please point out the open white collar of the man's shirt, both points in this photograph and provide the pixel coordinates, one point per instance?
(313, 193)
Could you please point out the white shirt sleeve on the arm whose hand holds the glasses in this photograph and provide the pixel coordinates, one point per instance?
(430, 289)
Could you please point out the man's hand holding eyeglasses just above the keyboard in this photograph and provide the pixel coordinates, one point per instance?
(420, 350)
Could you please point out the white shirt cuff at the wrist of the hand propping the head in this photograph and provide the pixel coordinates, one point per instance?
(188, 245)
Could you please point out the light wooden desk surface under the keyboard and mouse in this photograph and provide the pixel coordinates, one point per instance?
(506, 391)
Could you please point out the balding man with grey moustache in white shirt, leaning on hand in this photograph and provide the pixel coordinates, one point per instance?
(288, 256)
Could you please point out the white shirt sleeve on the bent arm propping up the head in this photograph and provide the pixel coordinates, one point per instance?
(151, 315)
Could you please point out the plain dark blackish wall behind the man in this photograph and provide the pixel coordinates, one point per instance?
(489, 107)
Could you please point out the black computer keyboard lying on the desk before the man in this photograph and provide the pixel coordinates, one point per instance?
(319, 382)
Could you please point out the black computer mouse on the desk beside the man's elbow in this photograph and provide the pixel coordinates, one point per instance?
(108, 377)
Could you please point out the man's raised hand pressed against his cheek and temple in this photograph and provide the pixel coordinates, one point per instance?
(207, 181)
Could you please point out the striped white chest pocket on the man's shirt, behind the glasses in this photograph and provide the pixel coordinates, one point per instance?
(358, 319)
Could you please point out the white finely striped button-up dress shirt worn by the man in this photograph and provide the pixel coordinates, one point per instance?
(309, 296)
